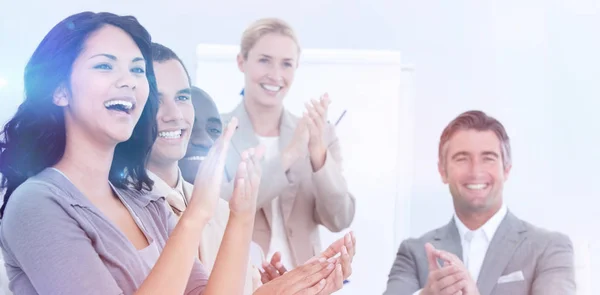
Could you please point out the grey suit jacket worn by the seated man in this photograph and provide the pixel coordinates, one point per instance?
(544, 258)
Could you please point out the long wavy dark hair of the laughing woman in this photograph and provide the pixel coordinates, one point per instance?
(35, 137)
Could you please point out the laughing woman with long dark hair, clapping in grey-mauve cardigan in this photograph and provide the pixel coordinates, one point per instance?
(77, 217)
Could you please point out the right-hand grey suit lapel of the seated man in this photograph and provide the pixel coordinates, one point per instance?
(502, 247)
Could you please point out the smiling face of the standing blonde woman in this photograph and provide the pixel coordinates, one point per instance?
(269, 69)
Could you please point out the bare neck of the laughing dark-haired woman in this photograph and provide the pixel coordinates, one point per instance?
(86, 162)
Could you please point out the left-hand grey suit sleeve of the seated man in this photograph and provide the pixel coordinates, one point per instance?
(403, 278)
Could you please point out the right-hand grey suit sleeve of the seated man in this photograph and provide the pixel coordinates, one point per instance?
(555, 273)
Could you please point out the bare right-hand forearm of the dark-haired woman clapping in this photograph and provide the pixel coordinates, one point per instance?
(229, 273)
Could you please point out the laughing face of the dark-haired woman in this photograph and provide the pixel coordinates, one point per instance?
(108, 87)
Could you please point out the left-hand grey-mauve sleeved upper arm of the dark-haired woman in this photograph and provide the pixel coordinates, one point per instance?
(51, 248)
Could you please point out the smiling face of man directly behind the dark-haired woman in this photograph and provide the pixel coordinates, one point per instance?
(175, 114)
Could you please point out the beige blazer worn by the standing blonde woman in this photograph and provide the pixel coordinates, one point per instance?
(308, 199)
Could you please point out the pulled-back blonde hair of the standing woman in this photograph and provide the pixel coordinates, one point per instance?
(262, 27)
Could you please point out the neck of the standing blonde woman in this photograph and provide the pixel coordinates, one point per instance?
(265, 119)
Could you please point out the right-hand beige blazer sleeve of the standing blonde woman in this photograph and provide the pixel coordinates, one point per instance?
(335, 205)
